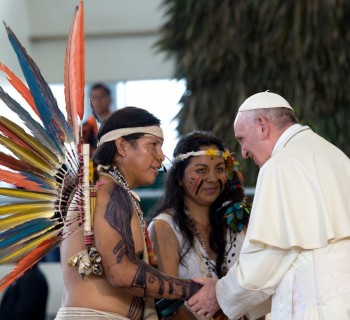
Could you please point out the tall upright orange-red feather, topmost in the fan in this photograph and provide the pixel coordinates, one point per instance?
(74, 78)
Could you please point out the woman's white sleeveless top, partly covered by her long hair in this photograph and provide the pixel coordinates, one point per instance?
(193, 265)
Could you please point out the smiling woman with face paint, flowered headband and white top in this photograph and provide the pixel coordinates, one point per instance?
(198, 228)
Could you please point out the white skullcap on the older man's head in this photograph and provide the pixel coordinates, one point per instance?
(263, 100)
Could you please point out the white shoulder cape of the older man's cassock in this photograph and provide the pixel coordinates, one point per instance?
(301, 197)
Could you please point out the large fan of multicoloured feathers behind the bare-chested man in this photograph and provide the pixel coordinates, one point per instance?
(45, 161)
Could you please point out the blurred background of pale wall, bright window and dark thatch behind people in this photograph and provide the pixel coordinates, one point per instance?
(192, 63)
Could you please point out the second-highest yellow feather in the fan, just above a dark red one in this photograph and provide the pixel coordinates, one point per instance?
(28, 156)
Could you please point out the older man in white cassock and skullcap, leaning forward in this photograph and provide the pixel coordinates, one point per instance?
(295, 260)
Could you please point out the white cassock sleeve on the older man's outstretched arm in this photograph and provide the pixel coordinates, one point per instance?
(252, 280)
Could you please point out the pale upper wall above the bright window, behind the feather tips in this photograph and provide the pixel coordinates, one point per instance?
(119, 37)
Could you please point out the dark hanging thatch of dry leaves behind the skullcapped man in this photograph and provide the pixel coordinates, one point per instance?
(229, 49)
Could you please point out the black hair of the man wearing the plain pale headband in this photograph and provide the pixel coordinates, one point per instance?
(128, 117)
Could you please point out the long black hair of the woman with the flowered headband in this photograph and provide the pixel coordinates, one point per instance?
(173, 198)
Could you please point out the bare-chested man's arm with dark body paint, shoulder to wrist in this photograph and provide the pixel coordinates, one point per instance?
(115, 240)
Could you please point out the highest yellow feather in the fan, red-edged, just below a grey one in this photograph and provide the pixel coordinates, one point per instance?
(31, 141)
